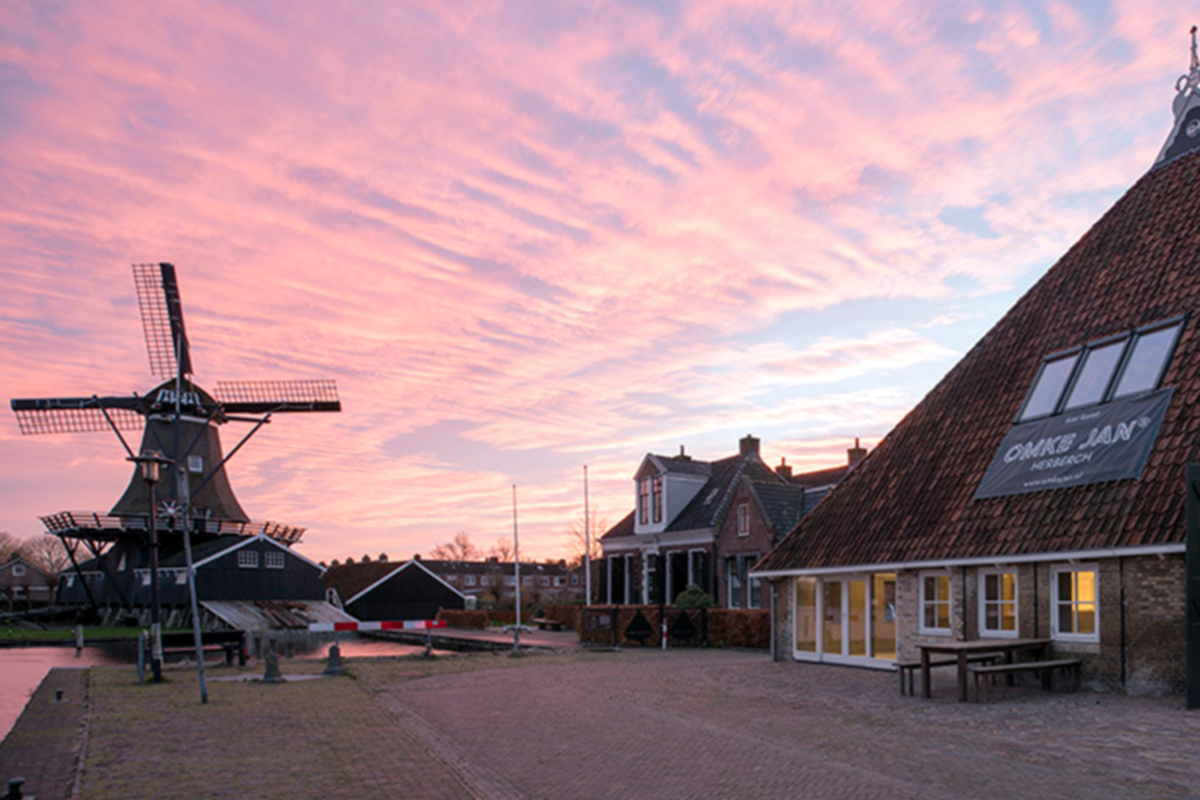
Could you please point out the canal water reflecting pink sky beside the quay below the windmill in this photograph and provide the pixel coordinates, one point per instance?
(22, 670)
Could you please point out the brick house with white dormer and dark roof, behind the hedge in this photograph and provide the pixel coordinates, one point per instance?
(705, 524)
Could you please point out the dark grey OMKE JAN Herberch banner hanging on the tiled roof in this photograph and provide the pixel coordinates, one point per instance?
(1090, 446)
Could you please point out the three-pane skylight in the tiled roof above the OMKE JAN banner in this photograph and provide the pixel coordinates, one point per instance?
(1102, 371)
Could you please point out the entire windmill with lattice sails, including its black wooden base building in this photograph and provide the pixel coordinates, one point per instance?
(236, 558)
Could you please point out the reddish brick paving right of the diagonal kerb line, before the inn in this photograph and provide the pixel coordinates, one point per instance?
(713, 724)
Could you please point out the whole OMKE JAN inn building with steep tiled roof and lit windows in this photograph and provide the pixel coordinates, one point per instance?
(1039, 490)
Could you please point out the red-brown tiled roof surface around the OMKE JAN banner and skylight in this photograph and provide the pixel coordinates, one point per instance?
(913, 501)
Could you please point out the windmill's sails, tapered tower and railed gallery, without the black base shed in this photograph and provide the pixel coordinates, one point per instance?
(179, 423)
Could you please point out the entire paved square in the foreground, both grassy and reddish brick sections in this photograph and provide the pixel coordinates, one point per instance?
(683, 724)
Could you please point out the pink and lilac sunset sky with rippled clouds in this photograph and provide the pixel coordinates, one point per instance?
(529, 237)
